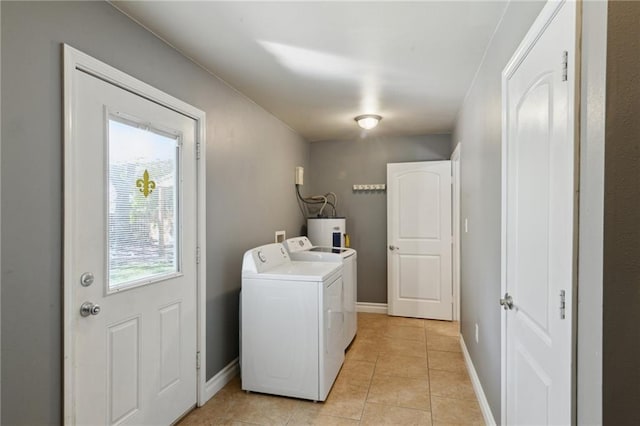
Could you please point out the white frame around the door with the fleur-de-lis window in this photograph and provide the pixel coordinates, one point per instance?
(77, 60)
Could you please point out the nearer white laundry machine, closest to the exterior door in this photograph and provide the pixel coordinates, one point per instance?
(291, 324)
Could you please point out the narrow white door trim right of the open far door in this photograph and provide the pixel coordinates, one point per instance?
(455, 229)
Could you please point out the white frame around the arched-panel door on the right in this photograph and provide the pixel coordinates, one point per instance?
(542, 21)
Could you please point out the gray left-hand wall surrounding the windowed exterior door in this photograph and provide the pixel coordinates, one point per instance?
(250, 162)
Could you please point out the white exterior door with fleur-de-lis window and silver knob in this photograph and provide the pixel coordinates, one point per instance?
(131, 251)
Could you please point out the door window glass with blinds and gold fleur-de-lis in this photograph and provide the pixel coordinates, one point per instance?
(143, 215)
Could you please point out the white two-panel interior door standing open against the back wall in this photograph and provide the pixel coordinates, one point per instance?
(419, 239)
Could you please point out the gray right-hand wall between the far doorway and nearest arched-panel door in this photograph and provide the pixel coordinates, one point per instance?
(478, 128)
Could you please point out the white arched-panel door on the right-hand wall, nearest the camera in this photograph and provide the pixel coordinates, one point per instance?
(539, 152)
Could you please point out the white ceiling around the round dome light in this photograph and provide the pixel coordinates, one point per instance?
(316, 65)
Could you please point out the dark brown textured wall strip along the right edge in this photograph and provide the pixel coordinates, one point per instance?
(621, 357)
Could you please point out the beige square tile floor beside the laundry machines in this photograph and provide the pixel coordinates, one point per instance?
(401, 371)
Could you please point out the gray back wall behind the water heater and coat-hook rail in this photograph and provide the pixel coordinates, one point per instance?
(338, 165)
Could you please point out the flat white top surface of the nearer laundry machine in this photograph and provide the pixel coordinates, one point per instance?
(297, 271)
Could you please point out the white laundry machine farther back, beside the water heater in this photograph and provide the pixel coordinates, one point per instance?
(300, 248)
